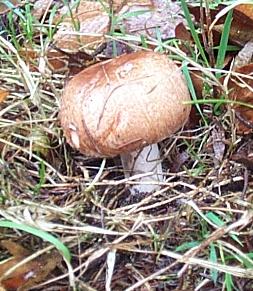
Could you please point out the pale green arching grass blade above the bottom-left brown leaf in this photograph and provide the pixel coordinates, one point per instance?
(39, 233)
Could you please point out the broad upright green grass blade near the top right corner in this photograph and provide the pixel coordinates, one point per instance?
(224, 42)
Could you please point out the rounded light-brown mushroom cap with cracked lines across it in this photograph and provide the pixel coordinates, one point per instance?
(124, 104)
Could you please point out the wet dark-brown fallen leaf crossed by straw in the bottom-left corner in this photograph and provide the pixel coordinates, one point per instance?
(29, 274)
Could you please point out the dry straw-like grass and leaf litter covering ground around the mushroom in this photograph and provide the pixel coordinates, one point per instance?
(120, 242)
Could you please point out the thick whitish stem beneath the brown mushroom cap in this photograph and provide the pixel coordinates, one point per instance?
(140, 162)
